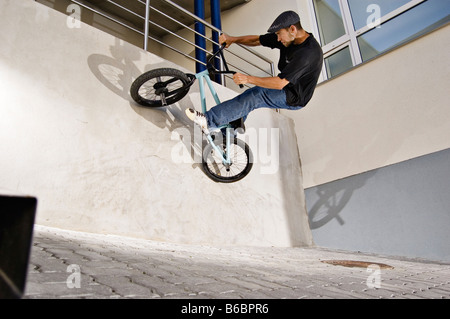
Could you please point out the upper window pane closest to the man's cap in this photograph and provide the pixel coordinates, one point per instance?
(329, 18)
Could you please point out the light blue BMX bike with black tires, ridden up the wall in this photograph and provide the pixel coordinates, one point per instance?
(225, 158)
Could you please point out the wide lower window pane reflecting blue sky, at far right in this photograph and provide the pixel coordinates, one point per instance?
(409, 25)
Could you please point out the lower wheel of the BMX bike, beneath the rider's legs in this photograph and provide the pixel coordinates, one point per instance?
(241, 162)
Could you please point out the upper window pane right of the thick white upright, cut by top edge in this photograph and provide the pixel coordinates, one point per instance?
(362, 10)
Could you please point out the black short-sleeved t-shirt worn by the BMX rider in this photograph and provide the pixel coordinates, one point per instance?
(300, 64)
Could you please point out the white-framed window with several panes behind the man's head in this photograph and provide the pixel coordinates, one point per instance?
(355, 31)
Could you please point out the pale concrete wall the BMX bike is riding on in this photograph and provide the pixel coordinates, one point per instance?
(71, 136)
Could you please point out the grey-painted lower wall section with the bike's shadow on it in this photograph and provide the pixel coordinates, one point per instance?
(402, 209)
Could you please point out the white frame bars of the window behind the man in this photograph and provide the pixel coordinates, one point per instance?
(350, 39)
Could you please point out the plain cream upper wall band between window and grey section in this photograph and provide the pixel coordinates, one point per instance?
(389, 110)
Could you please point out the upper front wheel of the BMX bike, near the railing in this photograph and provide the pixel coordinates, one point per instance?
(160, 87)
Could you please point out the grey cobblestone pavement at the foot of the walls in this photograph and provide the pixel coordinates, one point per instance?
(66, 264)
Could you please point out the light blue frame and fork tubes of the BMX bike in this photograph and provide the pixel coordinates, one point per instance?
(202, 77)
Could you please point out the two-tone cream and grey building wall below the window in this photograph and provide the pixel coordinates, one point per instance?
(374, 150)
